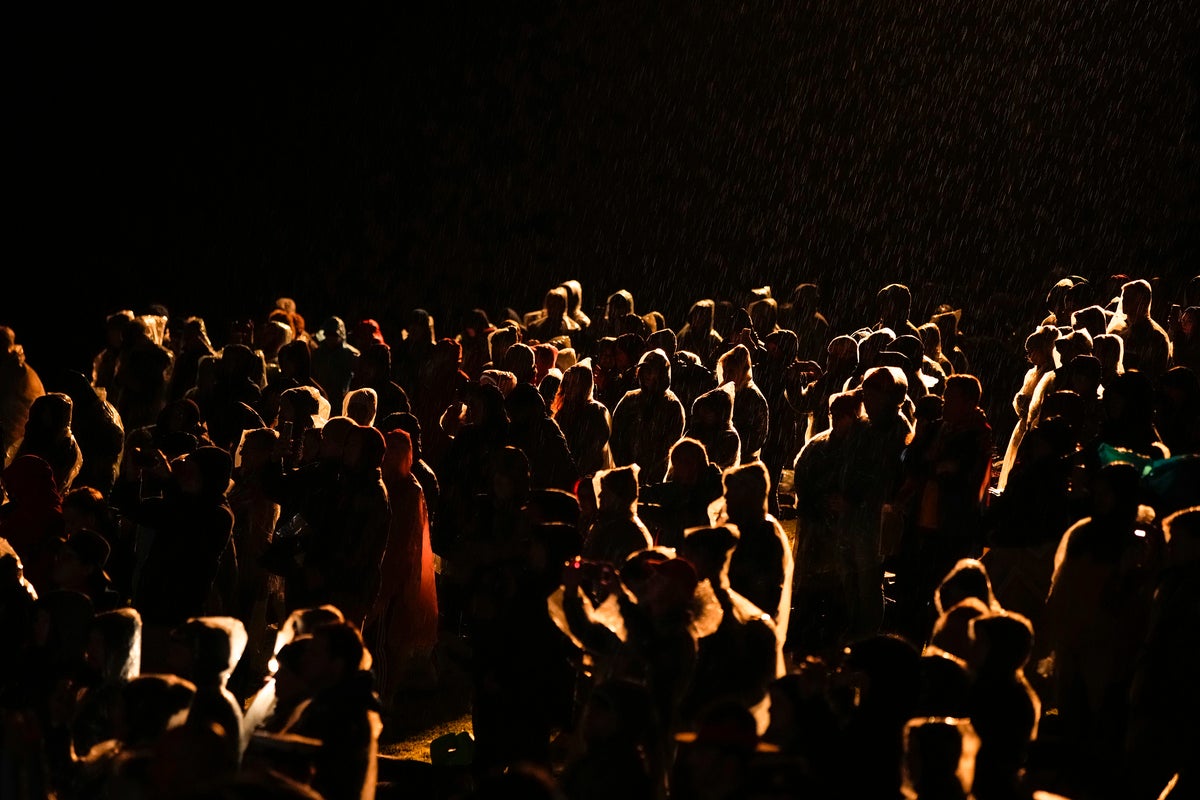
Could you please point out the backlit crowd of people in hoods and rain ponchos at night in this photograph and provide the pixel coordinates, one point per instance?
(748, 554)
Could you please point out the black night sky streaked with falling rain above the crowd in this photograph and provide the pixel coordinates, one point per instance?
(457, 157)
